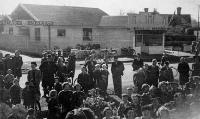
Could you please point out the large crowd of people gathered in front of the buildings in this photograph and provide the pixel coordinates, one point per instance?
(154, 93)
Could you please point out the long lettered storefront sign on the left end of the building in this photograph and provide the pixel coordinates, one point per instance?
(33, 23)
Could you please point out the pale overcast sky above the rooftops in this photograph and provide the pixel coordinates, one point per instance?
(113, 7)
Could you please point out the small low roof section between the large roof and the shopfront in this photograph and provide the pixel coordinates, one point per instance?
(114, 21)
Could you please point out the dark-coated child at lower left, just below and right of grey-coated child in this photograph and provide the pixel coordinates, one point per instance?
(15, 92)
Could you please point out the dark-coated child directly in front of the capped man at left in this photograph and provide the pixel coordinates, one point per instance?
(28, 95)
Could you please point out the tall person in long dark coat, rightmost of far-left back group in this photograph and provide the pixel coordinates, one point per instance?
(17, 64)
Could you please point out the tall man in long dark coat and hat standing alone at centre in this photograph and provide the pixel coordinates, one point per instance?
(117, 69)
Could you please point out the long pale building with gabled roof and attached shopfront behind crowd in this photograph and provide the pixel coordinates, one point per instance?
(38, 27)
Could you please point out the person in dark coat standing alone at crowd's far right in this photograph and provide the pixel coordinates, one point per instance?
(183, 69)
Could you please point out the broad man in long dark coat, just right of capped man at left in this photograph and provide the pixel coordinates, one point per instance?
(48, 69)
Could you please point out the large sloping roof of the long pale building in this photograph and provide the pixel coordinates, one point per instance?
(65, 15)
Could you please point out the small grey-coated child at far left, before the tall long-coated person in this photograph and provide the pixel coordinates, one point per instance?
(8, 80)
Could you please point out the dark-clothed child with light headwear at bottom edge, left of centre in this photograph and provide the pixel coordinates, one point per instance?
(53, 106)
